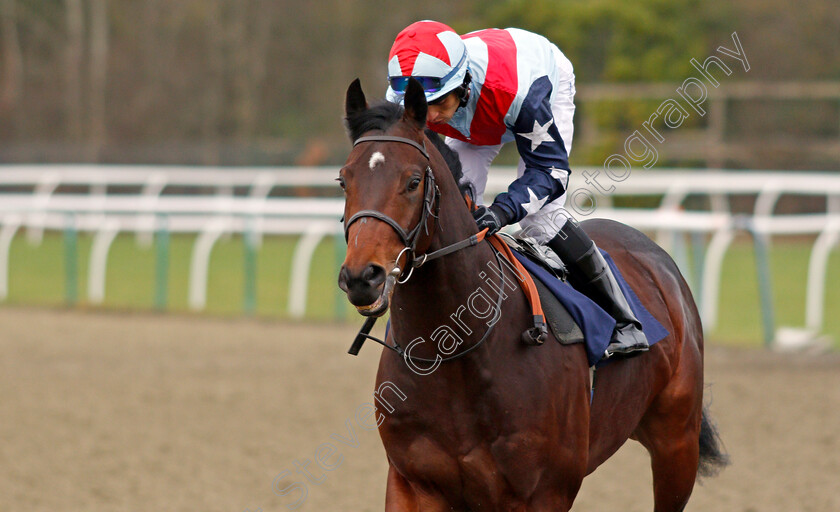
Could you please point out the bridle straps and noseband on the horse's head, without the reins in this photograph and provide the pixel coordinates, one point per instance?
(431, 200)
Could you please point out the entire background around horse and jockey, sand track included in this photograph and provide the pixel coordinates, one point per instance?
(171, 332)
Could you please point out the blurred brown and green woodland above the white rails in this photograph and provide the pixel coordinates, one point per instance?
(260, 82)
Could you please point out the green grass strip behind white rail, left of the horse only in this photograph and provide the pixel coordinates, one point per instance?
(38, 276)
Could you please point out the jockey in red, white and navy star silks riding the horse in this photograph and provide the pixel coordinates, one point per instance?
(494, 86)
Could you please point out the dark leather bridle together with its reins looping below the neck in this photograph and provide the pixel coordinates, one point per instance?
(431, 207)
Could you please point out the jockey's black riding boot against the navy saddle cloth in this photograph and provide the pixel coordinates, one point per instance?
(591, 275)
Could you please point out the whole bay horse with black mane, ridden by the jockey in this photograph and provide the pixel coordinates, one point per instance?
(497, 424)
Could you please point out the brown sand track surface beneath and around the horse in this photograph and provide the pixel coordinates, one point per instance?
(143, 412)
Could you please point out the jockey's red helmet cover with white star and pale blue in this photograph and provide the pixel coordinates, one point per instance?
(432, 53)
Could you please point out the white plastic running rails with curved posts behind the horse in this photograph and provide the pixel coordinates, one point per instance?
(107, 200)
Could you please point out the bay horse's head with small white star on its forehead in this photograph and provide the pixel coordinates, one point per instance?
(390, 196)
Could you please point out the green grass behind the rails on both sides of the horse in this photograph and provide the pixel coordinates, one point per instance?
(38, 277)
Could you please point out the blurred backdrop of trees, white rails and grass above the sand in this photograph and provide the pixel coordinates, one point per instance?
(244, 100)
